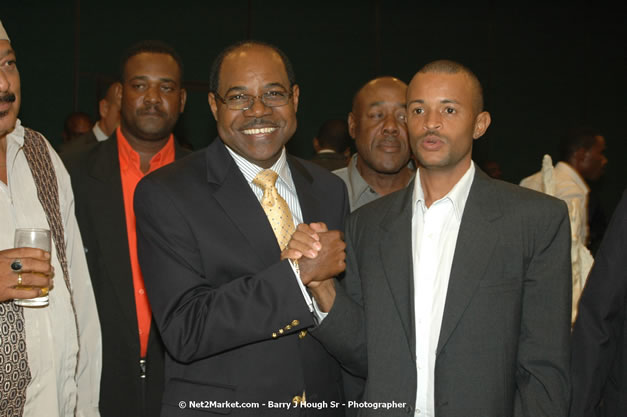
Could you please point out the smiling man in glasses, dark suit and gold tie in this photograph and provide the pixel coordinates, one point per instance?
(234, 317)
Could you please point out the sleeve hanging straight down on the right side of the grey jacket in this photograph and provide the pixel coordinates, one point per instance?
(542, 374)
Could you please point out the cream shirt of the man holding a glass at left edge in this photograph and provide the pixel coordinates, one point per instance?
(51, 341)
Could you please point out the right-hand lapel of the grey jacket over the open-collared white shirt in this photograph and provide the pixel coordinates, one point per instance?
(476, 241)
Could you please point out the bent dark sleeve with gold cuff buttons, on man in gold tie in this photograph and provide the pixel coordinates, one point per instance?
(199, 308)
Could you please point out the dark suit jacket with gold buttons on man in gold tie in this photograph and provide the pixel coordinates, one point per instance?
(230, 312)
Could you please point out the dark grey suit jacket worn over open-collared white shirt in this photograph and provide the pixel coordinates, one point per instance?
(503, 348)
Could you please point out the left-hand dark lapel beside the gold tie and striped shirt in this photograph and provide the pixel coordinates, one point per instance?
(240, 203)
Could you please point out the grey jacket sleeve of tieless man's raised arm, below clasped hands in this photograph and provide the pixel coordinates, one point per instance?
(343, 332)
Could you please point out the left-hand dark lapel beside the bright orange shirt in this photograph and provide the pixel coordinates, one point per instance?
(106, 199)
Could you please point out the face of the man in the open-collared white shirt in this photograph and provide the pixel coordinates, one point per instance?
(443, 120)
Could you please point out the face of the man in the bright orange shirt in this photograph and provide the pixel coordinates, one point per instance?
(151, 96)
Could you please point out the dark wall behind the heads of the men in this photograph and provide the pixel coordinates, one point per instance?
(544, 67)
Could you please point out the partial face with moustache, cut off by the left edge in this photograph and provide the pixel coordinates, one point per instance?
(9, 89)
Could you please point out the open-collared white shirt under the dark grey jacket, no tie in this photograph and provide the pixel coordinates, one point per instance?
(434, 237)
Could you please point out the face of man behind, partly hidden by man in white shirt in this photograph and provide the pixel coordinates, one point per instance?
(377, 123)
